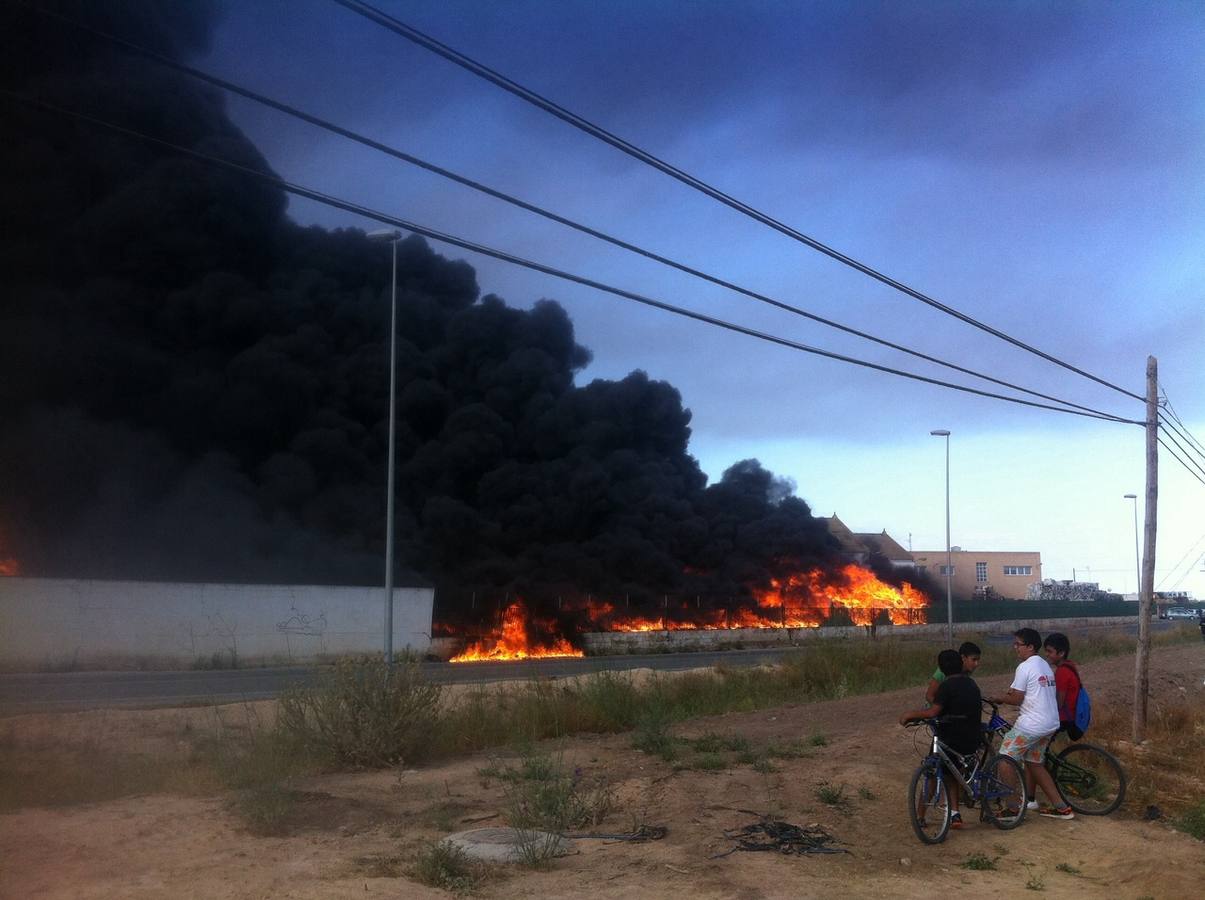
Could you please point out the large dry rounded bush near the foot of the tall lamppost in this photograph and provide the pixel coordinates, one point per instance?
(363, 714)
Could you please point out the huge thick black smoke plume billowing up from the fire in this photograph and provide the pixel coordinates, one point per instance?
(195, 387)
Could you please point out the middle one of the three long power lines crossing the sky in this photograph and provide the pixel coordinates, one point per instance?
(208, 78)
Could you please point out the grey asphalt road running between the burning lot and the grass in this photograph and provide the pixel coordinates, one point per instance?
(57, 692)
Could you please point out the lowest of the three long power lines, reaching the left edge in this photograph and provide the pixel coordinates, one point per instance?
(526, 263)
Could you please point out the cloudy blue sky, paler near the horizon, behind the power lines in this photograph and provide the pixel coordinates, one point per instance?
(1038, 167)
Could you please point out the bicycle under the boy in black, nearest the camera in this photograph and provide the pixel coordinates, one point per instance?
(981, 778)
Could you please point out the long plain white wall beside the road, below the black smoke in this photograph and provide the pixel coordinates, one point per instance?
(57, 622)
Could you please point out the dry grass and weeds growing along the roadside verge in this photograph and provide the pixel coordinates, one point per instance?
(234, 749)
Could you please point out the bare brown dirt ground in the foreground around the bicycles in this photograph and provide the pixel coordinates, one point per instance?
(355, 834)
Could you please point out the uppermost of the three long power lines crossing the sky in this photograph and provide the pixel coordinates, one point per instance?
(479, 69)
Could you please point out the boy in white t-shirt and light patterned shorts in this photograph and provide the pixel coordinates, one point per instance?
(1033, 691)
